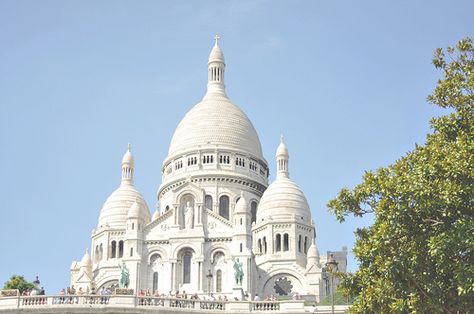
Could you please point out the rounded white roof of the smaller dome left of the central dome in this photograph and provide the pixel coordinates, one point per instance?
(115, 210)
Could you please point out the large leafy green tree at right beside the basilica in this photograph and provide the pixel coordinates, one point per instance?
(418, 256)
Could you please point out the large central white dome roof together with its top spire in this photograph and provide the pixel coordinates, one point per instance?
(216, 122)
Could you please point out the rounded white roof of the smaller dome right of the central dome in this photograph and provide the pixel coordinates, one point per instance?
(283, 199)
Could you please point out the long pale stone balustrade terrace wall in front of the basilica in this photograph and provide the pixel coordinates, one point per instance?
(147, 304)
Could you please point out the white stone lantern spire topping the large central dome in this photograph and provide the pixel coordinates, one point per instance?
(215, 70)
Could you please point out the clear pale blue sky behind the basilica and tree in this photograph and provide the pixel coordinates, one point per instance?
(344, 81)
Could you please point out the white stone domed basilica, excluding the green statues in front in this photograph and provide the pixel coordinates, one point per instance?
(217, 210)
